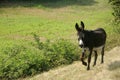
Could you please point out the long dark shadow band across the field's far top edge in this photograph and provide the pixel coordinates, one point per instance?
(44, 3)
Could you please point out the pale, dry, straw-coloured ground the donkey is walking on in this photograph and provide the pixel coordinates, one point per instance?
(110, 70)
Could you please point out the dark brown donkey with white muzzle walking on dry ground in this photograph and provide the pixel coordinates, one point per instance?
(91, 40)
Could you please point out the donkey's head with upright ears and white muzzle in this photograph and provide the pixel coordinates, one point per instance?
(80, 33)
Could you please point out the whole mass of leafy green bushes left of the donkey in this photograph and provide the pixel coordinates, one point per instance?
(20, 61)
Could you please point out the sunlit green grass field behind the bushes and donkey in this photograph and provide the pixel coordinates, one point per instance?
(53, 21)
